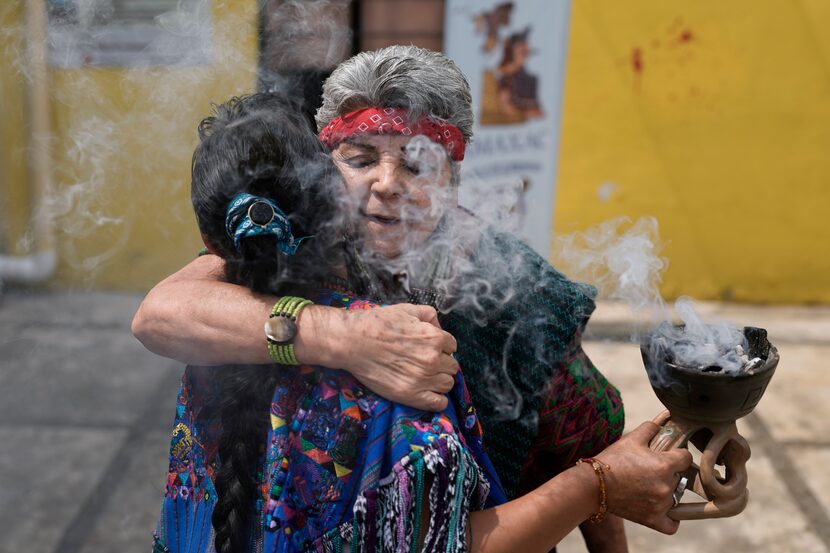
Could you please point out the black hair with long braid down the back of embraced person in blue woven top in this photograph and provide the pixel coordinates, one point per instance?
(259, 144)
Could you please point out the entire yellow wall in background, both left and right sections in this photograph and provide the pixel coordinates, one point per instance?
(723, 135)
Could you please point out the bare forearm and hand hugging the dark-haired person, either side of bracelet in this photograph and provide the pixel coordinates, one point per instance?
(398, 352)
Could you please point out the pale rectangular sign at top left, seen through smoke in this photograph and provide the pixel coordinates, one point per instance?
(128, 33)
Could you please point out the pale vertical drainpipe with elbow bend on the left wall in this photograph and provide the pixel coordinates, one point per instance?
(40, 265)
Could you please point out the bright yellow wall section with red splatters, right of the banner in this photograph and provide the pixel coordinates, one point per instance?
(723, 135)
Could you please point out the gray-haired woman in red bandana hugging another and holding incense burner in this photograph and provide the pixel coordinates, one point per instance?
(397, 122)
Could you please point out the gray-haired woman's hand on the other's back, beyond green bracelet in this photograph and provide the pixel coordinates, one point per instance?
(399, 352)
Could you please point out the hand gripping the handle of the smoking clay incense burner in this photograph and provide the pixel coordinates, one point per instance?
(641, 482)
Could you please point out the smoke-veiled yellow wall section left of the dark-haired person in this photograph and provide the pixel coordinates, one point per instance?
(122, 144)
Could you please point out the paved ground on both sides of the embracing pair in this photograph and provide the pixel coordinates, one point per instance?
(84, 416)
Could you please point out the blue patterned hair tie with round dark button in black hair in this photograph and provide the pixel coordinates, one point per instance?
(249, 215)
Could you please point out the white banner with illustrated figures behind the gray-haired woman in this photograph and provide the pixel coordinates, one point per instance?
(513, 54)
